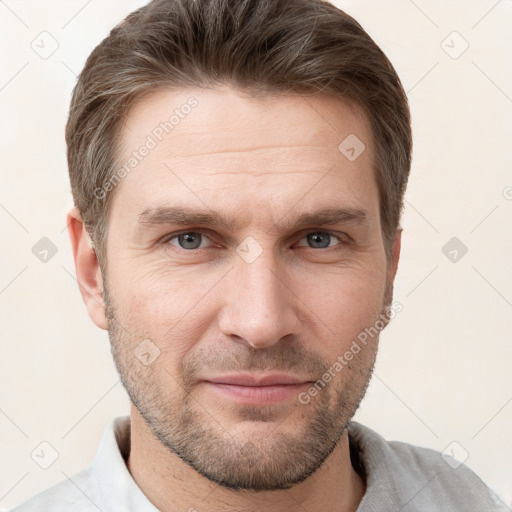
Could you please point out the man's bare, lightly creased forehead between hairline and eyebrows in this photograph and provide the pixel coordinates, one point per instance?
(219, 147)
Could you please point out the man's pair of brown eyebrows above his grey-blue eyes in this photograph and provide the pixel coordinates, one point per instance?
(169, 215)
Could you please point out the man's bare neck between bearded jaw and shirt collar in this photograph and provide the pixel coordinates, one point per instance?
(172, 485)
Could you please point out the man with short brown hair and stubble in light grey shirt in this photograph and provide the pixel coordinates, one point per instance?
(238, 170)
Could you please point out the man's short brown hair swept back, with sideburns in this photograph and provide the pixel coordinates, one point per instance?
(261, 47)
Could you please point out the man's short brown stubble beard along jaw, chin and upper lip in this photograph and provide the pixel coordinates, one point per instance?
(274, 460)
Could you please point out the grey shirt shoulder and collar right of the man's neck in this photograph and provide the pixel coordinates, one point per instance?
(418, 478)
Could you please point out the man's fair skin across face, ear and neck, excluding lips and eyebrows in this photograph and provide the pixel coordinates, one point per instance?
(278, 302)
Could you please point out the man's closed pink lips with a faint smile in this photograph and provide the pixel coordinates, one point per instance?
(250, 389)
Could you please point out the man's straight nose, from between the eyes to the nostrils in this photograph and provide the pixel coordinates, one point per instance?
(259, 305)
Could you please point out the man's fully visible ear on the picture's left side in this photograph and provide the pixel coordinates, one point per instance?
(88, 272)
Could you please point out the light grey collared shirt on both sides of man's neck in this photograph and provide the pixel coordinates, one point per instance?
(399, 478)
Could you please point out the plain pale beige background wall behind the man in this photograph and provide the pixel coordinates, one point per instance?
(443, 371)
